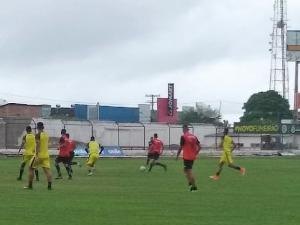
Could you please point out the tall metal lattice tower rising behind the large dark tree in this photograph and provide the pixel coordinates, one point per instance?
(279, 76)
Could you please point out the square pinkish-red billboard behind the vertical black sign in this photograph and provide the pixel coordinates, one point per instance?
(163, 111)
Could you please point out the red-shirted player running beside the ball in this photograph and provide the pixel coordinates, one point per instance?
(155, 150)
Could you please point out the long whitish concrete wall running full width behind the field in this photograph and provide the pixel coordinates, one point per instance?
(130, 136)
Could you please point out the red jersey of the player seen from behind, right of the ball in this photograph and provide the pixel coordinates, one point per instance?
(190, 146)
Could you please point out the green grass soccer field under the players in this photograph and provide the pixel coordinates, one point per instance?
(120, 194)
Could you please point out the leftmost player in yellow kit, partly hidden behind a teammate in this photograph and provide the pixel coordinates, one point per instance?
(28, 142)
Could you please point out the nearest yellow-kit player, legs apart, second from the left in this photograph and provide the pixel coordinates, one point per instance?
(41, 157)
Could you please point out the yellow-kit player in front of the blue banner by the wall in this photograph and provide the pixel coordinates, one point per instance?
(93, 149)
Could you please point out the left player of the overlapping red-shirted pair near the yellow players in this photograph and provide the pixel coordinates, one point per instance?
(63, 156)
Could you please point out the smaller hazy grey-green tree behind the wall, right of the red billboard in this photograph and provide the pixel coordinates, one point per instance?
(200, 114)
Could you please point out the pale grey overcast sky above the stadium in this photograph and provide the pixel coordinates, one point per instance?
(116, 51)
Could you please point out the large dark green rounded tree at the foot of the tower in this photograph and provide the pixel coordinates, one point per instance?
(266, 107)
